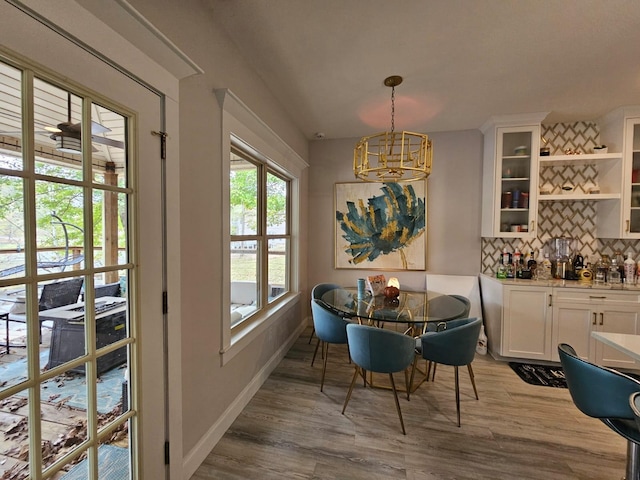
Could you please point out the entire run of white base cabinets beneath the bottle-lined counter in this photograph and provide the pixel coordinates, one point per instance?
(528, 321)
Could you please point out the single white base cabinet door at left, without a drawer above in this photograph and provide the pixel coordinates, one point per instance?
(526, 323)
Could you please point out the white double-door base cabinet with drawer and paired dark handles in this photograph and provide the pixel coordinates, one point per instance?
(577, 313)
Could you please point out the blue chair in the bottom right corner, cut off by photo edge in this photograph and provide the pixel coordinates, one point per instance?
(604, 393)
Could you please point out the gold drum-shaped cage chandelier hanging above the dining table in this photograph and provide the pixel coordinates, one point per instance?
(393, 156)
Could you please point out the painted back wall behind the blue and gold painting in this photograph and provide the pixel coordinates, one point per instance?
(453, 207)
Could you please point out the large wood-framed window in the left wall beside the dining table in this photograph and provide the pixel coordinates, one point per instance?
(259, 233)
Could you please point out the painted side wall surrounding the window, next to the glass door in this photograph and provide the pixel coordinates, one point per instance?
(210, 391)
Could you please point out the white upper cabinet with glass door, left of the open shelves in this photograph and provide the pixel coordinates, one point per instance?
(510, 176)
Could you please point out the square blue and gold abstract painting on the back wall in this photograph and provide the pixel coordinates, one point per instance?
(381, 226)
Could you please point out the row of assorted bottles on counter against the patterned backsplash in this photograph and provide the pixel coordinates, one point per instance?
(617, 270)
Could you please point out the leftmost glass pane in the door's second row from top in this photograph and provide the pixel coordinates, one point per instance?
(12, 242)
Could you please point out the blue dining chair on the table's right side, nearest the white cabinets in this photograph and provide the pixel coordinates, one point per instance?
(455, 346)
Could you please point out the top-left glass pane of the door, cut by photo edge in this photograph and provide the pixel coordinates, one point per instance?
(10, 117)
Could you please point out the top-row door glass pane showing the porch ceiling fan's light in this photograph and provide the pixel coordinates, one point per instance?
(58, 119)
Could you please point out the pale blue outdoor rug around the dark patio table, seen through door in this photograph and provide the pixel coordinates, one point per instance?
(68, 389)
